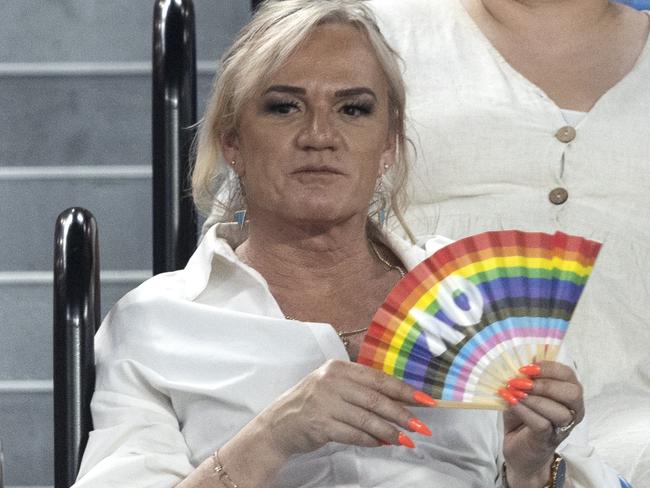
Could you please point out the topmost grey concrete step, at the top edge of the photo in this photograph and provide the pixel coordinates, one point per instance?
(97, 30)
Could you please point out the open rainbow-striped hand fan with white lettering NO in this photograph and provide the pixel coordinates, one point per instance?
(461, 323)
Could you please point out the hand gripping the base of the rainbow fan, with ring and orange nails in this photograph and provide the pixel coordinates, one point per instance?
(550, 404)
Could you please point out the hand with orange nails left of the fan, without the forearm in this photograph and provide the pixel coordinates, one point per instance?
(347, 403)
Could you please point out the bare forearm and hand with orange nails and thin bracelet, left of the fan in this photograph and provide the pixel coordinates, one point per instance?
(339, 402)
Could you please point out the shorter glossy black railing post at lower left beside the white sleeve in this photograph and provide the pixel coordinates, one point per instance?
(76, 318)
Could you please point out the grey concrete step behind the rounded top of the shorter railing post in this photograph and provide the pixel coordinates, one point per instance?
(120, 200)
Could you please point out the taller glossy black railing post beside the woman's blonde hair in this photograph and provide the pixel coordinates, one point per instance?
(174, 116)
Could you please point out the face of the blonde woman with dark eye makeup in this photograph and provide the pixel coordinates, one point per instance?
(312, 142)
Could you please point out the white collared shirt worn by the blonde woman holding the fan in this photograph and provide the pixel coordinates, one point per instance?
(189, 357)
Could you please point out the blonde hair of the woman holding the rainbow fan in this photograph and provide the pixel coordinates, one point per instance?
(259, 50)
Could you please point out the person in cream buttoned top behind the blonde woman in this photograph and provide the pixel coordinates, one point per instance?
(535, 114)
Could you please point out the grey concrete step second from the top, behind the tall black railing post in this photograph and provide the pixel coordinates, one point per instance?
(80, 114)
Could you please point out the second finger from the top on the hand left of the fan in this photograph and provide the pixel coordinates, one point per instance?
(384, 406)
